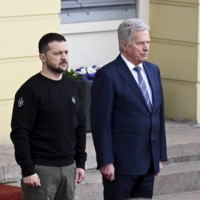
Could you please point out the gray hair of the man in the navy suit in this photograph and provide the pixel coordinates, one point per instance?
(128, 27)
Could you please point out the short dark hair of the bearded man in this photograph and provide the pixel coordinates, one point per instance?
(46, 39)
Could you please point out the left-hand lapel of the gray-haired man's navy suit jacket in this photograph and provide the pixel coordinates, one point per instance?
(129, 79)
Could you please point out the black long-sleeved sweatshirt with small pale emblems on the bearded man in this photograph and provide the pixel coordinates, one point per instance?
(48, 124)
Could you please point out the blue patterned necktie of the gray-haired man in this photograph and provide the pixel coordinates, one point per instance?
(143, 86)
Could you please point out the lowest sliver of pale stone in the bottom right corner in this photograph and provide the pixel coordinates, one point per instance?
(195, 195)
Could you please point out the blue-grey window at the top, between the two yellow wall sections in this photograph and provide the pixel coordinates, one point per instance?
(73, 11)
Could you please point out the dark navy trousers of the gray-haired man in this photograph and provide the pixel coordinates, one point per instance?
(125, 187)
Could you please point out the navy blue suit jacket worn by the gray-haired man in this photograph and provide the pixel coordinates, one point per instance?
(124, 131)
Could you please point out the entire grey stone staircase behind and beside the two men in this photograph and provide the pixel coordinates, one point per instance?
(179, 180)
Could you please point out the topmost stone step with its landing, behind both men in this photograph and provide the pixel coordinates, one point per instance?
(183, 143)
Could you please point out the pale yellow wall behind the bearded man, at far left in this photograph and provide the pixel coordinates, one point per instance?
(22, 24)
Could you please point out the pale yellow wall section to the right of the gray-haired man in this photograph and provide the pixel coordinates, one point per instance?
(175, 48)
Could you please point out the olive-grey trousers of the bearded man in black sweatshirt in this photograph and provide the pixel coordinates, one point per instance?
(57, 183)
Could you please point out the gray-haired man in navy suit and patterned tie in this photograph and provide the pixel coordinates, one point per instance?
(127, 117)
